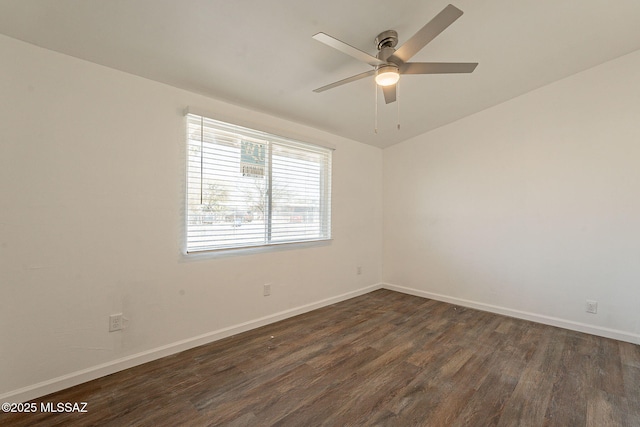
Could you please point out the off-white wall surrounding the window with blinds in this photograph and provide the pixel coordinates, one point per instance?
(91, 203)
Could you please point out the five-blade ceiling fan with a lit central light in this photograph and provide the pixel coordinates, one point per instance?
(390, 63)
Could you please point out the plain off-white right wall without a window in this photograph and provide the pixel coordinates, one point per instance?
(528, 208)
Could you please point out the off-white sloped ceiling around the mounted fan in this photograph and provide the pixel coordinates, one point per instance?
(260, 54)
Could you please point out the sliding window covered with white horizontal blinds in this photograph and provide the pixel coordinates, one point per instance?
(247, 188)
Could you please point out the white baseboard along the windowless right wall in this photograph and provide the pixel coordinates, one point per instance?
(538, 318)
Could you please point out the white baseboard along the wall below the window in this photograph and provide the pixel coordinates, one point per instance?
(60, 383)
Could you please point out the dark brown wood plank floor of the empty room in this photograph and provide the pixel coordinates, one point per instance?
(385, 359)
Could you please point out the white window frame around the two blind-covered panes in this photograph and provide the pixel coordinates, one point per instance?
(324, 226)
